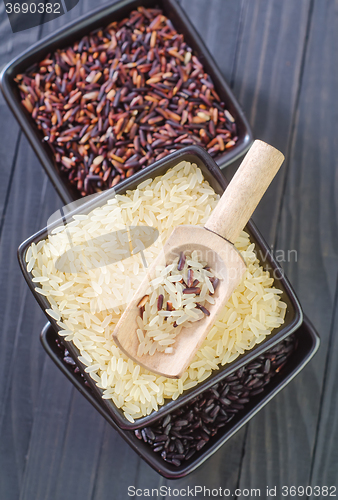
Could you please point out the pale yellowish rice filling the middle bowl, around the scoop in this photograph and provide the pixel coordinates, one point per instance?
(88, 302)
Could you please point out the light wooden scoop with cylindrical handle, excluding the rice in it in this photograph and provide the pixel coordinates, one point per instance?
(214, 244)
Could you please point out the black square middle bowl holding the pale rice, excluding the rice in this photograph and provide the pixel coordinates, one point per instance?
(213, 175)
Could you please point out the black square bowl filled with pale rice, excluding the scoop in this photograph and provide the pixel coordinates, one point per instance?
(84, 268)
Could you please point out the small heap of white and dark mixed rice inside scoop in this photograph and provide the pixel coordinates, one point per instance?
(176, 298)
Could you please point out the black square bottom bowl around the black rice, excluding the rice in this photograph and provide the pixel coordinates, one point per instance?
(307, 346)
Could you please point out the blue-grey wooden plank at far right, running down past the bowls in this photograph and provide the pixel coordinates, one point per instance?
(287, 428)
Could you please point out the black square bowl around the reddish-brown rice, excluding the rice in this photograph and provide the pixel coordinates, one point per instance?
(74, 31)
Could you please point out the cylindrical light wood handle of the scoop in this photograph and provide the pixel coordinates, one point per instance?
(245, 190)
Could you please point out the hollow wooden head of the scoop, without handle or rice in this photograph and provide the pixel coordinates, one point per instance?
(228, 264)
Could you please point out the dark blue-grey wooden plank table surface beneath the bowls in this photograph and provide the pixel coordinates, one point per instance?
(280, 57)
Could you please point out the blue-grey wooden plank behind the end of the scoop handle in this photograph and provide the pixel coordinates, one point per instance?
(266, 83)
